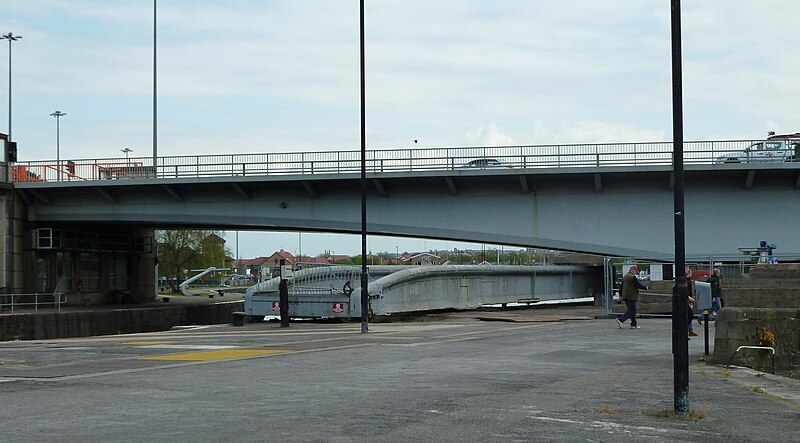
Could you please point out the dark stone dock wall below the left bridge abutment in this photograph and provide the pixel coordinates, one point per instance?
(112, 321)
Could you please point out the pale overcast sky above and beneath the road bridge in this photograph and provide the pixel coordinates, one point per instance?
(277, 76)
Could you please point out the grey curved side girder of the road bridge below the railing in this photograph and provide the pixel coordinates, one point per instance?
(625, 211)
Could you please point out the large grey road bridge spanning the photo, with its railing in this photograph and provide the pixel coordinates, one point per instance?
(608, 199)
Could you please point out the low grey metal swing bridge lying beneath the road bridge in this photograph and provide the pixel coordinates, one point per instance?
(320, 292)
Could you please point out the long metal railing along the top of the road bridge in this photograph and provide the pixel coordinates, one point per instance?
(391, 160)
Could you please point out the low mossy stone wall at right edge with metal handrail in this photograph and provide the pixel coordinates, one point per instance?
(743, 326)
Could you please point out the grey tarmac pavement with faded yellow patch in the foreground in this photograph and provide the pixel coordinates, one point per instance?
(554, 374)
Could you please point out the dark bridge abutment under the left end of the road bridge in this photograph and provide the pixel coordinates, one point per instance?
(105, 264)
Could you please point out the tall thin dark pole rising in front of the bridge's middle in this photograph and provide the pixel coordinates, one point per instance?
(364, 288)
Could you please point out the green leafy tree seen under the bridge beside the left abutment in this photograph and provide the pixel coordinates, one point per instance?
(184, 249)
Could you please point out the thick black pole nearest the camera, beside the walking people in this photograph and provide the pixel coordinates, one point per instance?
(680, 325)
